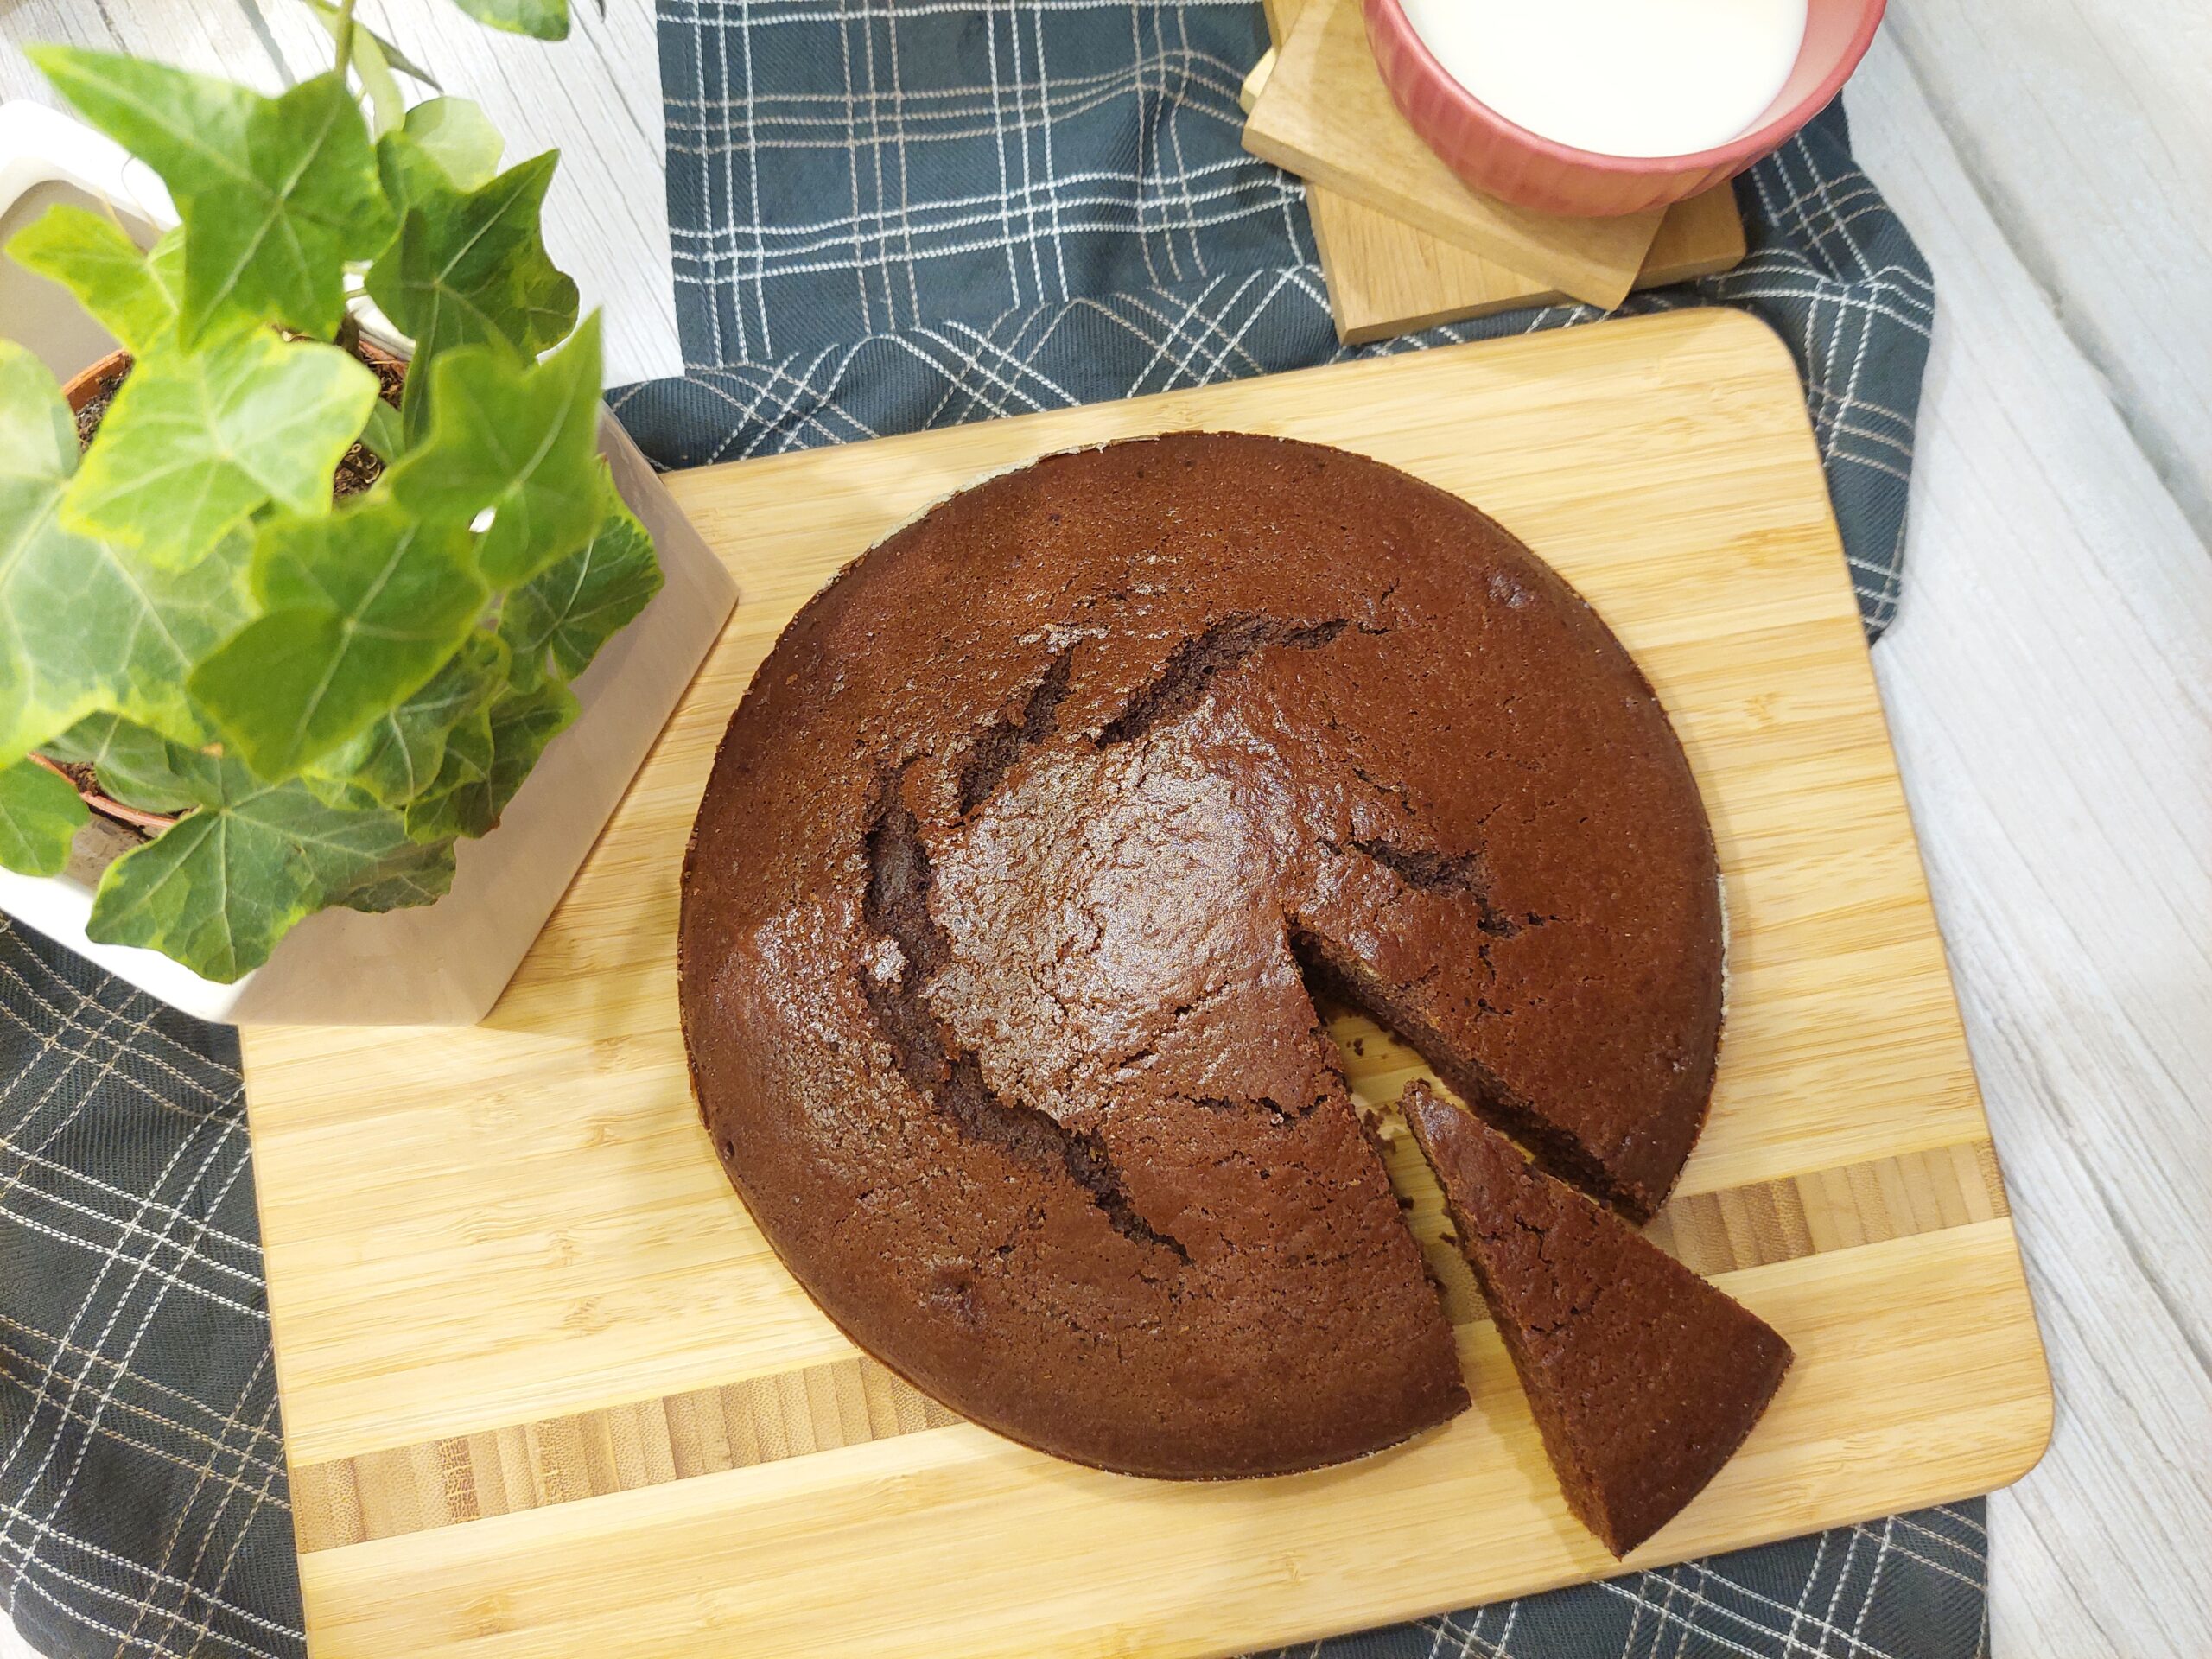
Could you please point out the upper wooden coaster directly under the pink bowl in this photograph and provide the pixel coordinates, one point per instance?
(1328, 118)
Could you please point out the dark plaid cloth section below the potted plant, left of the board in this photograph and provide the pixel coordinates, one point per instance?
(143, 1490)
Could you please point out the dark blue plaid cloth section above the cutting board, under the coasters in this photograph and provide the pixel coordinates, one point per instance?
(904, 216)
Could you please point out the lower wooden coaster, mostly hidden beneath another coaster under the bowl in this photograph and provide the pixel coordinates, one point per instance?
(1388, 278)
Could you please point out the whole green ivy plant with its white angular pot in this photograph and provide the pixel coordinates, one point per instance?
(289, 616)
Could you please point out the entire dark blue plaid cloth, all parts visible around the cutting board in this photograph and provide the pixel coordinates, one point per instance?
(886, 216)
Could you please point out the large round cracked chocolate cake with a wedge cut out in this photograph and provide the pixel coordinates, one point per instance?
(1016, 866)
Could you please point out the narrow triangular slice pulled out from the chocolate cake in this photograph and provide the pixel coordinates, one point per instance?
(1642, 1377)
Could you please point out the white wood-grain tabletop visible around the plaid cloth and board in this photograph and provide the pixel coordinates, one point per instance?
(2049, 680)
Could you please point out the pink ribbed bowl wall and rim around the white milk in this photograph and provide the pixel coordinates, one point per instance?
(1516, 165)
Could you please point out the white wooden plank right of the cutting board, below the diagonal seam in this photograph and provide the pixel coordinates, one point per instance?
(2047, 691)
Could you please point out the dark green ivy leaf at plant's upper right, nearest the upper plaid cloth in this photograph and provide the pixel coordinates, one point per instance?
(470, 267)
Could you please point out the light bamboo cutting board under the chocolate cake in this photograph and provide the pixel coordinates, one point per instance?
(547, 1392)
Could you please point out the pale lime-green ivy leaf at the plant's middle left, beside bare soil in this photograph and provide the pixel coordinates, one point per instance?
(200, 441)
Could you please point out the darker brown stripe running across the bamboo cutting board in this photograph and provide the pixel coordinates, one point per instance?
(853, 1401)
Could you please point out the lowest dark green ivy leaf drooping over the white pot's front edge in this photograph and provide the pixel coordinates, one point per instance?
(231, 879)
